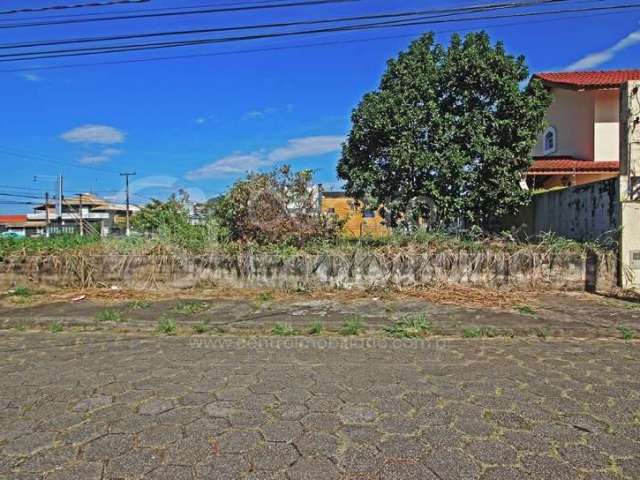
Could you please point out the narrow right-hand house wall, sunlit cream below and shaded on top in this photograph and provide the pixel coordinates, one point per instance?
(606, 127)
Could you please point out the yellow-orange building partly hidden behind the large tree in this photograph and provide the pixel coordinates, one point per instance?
(358, 222)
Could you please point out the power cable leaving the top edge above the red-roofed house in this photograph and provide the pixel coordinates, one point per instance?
(434, 13)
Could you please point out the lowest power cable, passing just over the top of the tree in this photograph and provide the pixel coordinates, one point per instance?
(293, 47)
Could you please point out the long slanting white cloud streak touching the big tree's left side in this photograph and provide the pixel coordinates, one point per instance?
(239, 163)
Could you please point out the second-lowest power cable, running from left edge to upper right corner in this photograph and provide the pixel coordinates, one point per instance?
(219, 40)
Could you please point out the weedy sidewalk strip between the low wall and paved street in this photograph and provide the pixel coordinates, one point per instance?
(551, 315)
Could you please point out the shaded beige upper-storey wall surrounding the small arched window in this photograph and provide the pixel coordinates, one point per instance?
(572, 114)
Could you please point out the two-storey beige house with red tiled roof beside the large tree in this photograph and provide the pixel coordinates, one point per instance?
(581, 141)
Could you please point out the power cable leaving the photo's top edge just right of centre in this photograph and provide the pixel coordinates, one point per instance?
(264, 6)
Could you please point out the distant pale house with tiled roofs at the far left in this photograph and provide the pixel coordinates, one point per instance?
(96, 216)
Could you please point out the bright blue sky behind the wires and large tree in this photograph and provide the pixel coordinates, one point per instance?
(198, 123)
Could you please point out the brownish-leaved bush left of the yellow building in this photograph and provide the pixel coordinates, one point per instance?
(279, 207)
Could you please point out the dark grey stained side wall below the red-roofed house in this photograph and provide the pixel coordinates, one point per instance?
(585, 212)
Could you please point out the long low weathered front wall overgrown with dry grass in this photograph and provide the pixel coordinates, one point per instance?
(522, 270)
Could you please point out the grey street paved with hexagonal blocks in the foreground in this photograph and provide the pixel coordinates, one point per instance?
(101, 406)
